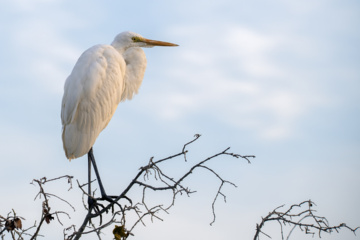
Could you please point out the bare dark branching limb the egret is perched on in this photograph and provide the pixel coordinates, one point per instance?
(153, 171)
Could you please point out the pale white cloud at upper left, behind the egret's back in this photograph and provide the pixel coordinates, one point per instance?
(44, 54)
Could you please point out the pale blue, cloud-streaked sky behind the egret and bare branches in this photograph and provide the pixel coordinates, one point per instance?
(279, 80)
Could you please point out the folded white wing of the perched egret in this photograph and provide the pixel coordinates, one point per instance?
(91, 94)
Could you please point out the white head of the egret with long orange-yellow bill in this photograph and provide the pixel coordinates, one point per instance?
(125, 40)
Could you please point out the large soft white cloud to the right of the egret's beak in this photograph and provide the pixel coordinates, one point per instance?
(237, 77)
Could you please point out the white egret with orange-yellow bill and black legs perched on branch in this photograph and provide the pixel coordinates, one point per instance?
(103, 76)
